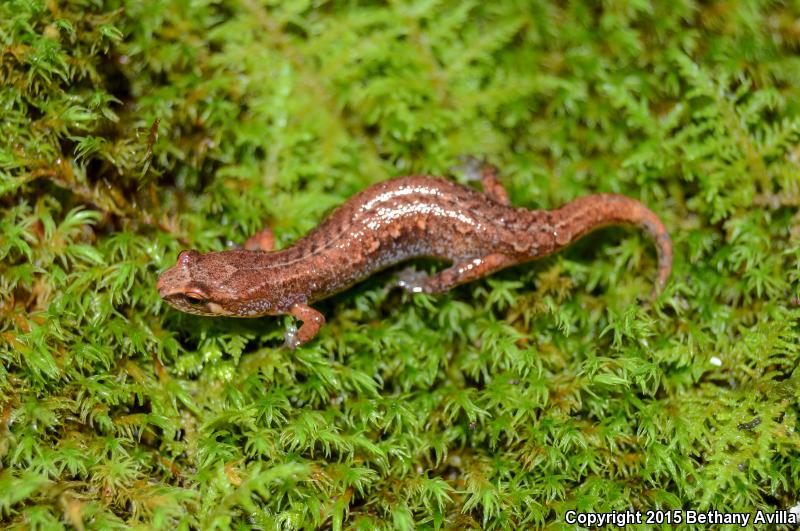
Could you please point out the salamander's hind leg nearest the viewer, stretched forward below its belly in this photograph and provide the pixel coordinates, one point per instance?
(459, 273)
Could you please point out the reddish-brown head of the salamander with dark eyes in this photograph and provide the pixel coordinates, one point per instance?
(211, 284)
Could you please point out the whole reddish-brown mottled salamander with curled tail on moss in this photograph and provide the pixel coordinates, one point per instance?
(390, 222)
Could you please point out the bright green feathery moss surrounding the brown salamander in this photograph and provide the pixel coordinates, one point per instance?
(131, 130)
